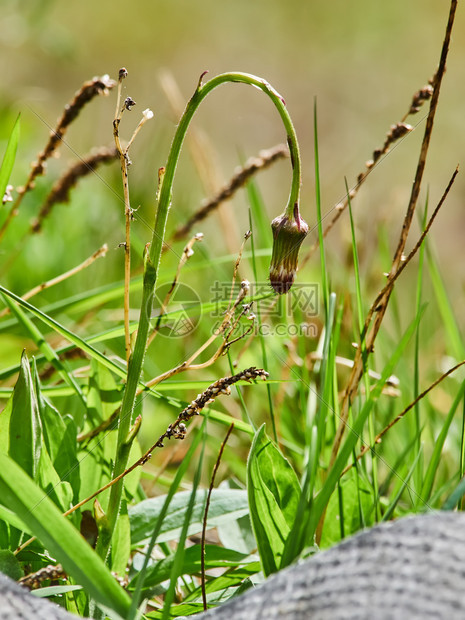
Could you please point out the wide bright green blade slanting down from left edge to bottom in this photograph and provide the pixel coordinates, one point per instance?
(20, 494)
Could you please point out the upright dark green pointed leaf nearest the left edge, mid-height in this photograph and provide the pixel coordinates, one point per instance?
(24, 431)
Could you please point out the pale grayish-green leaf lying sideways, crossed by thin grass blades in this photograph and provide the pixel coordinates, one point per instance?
(225, 505)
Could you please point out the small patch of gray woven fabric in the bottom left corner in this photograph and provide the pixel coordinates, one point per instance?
(16, 603)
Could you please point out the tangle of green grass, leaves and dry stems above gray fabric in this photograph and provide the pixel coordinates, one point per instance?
(110, 462)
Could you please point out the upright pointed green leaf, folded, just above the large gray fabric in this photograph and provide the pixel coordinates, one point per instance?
(273, 493)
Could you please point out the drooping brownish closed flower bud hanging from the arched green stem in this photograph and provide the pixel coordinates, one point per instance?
(288, 234)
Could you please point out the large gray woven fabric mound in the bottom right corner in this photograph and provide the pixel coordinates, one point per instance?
(407, 569)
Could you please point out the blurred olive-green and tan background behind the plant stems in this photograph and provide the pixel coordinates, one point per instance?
(361, 61)
